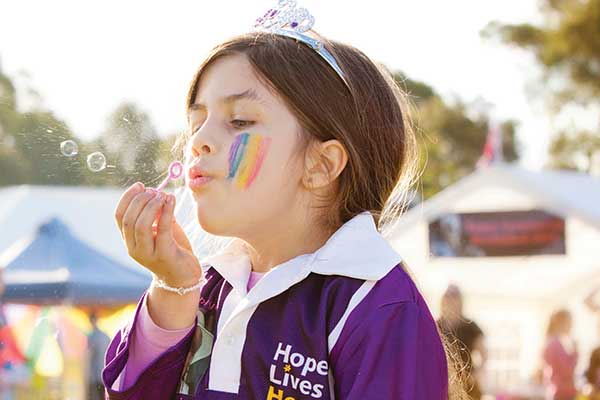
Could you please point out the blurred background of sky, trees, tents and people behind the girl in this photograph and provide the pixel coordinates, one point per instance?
(504, 227)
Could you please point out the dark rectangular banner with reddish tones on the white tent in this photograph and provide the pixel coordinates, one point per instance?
(511, 233)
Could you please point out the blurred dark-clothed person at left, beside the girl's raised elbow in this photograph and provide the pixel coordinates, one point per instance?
(98, 342)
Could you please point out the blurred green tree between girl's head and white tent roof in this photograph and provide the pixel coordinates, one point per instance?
(452, 136)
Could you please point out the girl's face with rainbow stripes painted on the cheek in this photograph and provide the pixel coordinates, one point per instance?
(245, 140)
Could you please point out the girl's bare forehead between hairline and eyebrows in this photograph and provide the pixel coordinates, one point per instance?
(231, 75)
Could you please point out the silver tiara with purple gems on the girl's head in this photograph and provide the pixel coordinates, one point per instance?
(287, 20)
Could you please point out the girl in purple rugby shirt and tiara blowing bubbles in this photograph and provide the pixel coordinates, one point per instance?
(297, 150)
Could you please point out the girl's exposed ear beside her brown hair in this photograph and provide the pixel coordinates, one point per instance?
(324, 162)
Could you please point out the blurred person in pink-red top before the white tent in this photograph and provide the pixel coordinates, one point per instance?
(560, 358)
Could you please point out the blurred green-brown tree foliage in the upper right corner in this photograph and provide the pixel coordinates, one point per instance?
(566, 45)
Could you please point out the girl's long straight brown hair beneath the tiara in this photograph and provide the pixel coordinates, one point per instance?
(366, 116)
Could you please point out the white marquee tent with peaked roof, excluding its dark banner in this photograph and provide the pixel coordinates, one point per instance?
(512, 297)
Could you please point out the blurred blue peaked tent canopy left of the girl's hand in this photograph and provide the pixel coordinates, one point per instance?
(55, 267)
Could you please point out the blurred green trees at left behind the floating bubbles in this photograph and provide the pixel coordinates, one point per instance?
(30, 147)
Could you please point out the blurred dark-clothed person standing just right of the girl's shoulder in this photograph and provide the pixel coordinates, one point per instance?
(467, 338)
